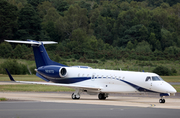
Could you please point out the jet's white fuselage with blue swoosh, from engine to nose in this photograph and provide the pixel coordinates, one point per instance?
(113, 81)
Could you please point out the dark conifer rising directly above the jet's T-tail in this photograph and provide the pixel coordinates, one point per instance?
(29, 24)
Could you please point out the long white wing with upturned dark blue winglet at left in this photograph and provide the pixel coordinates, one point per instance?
(55, 84)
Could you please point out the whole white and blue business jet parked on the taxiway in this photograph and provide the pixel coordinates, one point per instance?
(93, 81)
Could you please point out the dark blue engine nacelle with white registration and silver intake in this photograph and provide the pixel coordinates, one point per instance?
(52, 72)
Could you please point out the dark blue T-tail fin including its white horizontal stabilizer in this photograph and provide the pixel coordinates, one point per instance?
(40, 54)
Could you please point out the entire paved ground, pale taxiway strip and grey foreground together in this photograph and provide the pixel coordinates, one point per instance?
(60, 105)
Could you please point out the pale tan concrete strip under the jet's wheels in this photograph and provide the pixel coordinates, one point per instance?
(134, 100)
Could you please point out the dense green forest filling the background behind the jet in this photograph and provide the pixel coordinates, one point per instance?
(132, 29)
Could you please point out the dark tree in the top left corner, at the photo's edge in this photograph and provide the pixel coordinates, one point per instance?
(8, 20)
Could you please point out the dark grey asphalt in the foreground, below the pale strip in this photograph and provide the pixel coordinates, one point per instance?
(32, 109)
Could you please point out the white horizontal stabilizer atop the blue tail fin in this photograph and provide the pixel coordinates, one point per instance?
(31, 42)
